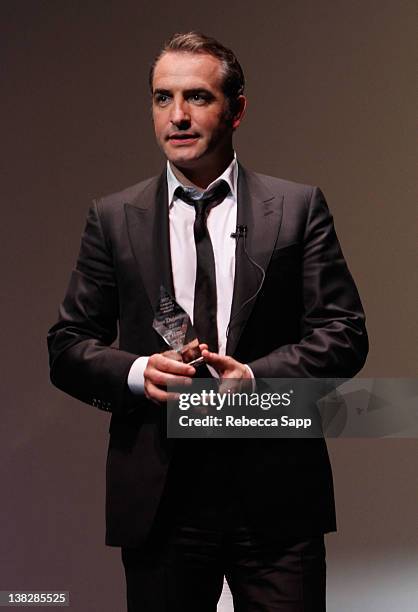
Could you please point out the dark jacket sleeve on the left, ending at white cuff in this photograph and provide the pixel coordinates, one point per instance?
(82, 361)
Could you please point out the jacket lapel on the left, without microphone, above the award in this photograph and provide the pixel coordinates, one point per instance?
(148, 230)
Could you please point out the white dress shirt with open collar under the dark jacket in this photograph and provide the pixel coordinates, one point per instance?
(222, 221)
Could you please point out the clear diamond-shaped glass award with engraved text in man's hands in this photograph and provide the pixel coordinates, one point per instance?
(173, 324)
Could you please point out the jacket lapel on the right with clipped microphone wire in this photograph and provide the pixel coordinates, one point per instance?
(261, 211)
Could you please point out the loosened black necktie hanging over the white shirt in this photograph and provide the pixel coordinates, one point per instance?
(205, 298)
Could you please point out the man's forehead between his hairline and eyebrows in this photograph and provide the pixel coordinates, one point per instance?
(185, 70)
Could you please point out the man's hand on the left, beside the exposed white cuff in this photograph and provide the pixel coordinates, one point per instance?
(162, 369)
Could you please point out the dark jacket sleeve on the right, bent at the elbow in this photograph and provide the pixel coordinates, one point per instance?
(333, 339)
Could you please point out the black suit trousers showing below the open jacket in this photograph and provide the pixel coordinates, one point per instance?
(202, 534)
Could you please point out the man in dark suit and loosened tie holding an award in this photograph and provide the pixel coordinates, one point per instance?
(282, 304)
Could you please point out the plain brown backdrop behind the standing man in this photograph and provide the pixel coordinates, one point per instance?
(330, 103)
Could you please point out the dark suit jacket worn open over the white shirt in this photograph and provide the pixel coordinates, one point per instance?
(307, 321)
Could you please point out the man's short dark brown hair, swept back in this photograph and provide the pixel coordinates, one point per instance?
(196, 42)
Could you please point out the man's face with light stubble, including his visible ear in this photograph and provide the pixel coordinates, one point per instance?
(191, 115)
